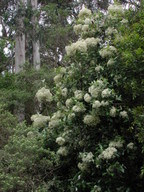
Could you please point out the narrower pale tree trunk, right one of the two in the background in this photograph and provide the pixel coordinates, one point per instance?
(35, 41)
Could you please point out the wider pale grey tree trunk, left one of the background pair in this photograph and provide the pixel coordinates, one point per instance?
(19, 41)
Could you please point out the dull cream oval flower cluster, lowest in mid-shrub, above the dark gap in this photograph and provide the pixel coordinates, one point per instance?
(91, 120)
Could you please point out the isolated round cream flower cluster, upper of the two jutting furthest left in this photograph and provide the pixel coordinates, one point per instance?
(44, 94)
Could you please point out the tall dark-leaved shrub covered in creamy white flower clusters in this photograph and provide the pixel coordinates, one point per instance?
(93, 130)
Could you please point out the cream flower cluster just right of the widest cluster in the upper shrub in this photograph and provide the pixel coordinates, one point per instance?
(107, 51)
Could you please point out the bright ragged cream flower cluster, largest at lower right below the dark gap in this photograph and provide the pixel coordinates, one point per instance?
(108, 153)
